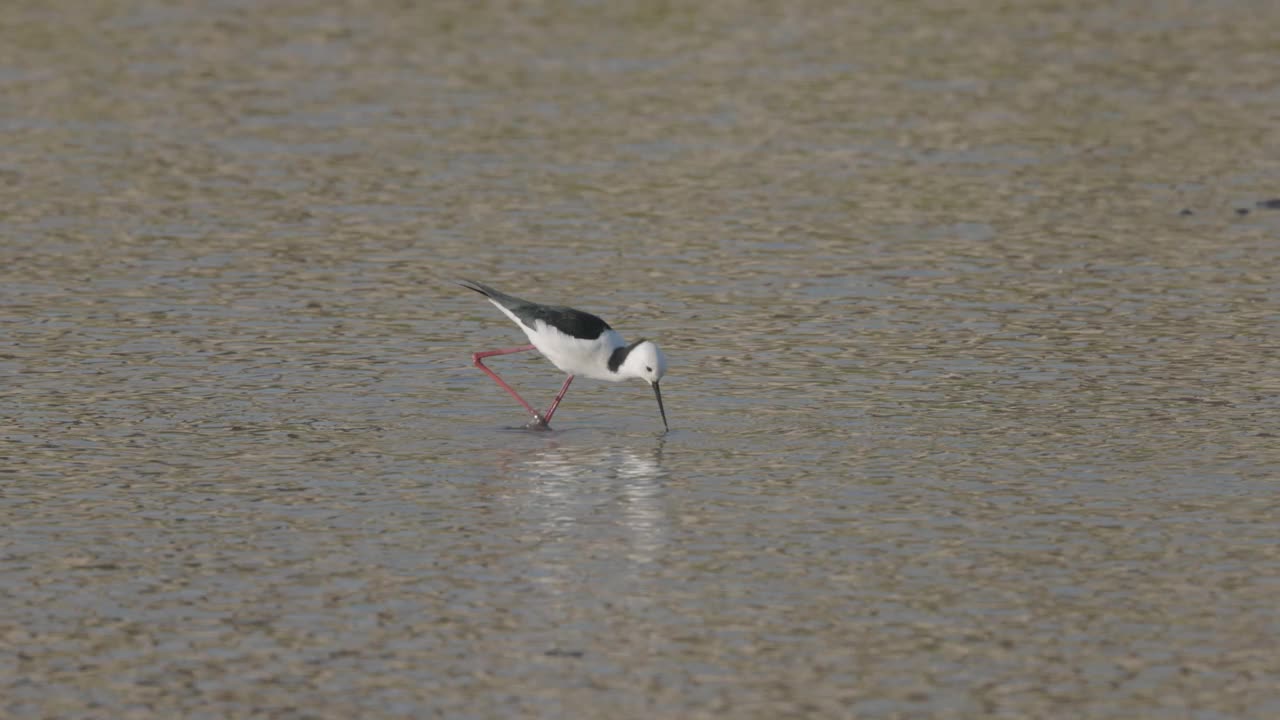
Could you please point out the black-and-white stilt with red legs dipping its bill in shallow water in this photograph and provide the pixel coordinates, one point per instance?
(578, 343)
